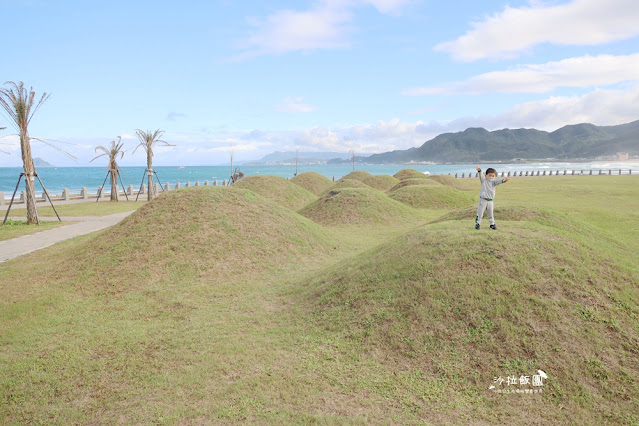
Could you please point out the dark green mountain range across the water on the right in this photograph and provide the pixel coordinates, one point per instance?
(580, 141)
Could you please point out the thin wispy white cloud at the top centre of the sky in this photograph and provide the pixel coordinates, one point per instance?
(325, 26)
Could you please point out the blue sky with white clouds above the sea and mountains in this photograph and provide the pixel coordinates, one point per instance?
(254, 77)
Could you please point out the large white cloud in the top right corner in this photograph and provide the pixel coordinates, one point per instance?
(580, 22)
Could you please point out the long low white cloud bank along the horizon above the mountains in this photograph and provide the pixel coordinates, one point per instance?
(600, 107)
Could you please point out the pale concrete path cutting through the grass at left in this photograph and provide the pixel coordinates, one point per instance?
(10, 249)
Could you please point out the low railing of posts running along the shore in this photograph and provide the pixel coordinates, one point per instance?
(104, 193)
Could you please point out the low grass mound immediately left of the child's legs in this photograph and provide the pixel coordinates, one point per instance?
(424, 197)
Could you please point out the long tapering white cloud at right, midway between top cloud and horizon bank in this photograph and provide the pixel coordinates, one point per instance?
(585, 71)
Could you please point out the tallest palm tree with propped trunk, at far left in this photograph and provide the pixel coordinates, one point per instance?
(20, 106)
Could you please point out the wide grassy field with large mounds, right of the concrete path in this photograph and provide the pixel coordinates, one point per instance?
(216, 305)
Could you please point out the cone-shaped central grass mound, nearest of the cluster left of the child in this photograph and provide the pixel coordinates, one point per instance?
(346, 206)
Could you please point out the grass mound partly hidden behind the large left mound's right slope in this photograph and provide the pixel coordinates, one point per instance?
(277, 189)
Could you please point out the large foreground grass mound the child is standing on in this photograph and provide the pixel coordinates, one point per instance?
(457, 309)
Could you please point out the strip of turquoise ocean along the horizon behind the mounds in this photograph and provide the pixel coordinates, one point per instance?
(74, 178)
